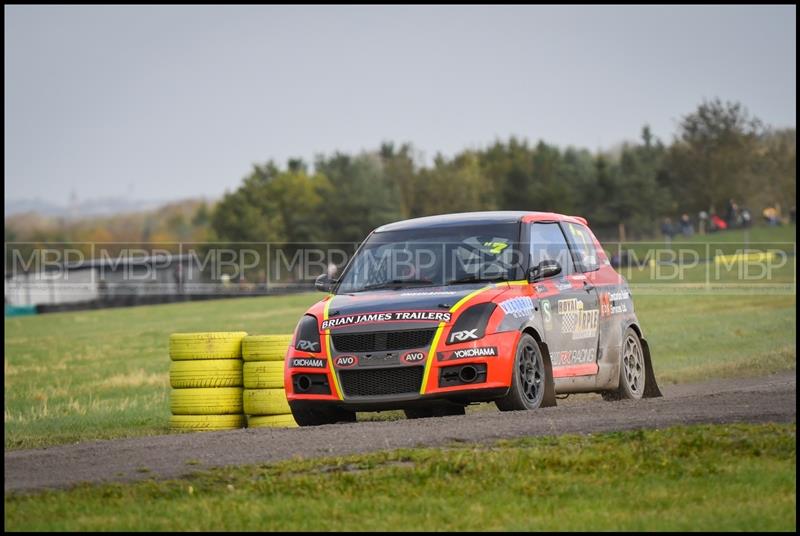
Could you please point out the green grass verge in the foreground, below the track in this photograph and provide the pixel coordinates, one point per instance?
(732, 477)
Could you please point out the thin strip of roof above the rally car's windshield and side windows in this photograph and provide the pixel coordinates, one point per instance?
(474, 218)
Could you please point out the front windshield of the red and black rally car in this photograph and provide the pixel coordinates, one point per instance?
(435, 257)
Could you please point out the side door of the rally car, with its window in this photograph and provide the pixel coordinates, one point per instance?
(568, 304)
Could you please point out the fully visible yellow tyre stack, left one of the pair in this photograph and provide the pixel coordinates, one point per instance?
(206, 379)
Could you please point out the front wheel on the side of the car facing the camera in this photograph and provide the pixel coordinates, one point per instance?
(531, 379)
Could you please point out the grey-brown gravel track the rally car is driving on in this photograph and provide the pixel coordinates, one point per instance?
(755, 400)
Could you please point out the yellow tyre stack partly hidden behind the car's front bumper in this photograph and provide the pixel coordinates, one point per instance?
(264, 397)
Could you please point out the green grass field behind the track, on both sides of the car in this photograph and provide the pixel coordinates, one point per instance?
(104, 374)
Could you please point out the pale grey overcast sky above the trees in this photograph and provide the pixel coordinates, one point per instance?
(166, 102)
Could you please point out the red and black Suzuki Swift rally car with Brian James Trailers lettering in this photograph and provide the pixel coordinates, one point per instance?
(432, 314)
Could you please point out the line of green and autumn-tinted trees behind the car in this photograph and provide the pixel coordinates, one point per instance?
(720, 152)
